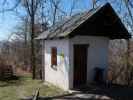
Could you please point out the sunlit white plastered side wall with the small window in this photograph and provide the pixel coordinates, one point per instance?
(57, 77)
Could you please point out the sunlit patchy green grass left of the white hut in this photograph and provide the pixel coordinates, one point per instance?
(25, 86)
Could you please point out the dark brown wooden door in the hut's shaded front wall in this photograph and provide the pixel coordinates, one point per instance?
(80, 65)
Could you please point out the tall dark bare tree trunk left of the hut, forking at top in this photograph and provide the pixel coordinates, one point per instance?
(31, 7)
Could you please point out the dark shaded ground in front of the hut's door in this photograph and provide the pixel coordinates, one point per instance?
(114, 92)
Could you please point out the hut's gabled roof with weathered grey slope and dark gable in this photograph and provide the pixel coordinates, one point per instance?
(90, 23)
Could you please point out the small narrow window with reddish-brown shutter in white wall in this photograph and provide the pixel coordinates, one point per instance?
(53, 56)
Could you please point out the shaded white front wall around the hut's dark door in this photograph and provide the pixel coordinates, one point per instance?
(97, 55)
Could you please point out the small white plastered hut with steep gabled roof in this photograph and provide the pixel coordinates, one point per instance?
(74, 49)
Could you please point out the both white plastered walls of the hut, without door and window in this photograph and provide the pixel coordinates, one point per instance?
(63, 75)
